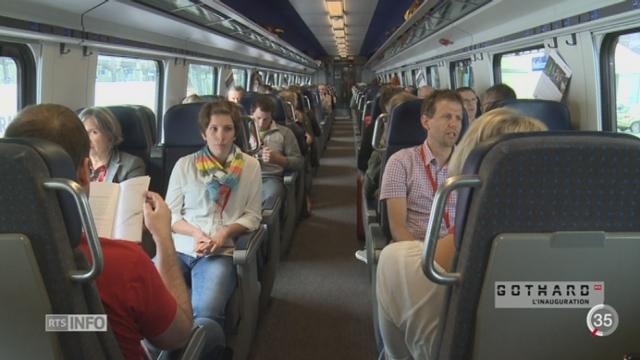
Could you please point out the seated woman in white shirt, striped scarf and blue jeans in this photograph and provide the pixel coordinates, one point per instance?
(214, 195)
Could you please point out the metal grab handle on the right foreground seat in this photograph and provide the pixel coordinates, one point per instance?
(435, 222)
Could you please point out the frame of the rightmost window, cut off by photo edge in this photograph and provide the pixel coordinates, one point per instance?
(608, 78)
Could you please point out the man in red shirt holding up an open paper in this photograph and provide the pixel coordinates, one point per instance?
(141, 300)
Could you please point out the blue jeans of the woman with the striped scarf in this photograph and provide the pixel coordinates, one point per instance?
(212, 280)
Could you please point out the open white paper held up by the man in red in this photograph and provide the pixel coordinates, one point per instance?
(117, 208)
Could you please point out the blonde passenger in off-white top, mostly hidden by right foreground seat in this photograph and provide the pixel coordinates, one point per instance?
(410, 306)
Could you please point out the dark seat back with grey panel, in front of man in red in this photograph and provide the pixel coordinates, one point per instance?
(42, 269)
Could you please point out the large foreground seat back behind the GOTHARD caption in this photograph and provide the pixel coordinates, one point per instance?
(541, 207)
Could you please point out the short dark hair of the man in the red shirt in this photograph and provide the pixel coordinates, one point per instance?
(55, 123)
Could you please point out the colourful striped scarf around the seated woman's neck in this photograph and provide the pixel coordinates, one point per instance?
(220, 180)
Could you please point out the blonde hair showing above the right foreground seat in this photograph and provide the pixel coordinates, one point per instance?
(488, 126)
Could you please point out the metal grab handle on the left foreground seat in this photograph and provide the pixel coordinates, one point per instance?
(87, 222)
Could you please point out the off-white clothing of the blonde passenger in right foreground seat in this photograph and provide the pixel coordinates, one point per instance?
(410, 306)
